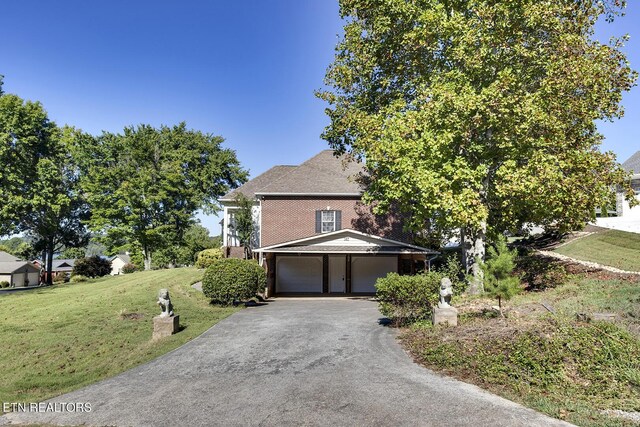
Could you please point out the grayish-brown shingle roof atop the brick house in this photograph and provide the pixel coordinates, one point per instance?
(322, 174)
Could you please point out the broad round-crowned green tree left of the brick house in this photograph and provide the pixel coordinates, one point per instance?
(146, 184)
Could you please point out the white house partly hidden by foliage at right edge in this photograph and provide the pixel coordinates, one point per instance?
(628, 218)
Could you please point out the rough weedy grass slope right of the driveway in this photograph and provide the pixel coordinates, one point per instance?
(550, 362)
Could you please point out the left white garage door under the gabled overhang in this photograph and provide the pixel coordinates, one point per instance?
(298, 274)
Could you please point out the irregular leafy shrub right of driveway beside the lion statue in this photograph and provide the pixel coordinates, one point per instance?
(406, 299)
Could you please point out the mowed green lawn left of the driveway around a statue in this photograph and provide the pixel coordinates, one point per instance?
(58, 339)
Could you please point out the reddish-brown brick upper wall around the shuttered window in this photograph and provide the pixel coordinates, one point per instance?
(288, 218)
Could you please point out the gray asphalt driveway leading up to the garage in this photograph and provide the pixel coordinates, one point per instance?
(291, 362)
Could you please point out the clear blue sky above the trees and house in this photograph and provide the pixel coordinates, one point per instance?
(242, 69)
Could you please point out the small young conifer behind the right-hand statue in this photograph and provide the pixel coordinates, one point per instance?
(500, 281)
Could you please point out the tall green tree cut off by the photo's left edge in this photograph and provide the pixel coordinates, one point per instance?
(39, 179)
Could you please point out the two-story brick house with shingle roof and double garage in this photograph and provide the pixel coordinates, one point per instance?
(315, 236)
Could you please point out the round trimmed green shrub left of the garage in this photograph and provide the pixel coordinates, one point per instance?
(228, 280)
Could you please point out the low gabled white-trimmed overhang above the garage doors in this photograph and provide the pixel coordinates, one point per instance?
(346, 241)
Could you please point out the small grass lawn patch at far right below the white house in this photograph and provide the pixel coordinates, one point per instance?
(611, 247)
